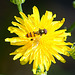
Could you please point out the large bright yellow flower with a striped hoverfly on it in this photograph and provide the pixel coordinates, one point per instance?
(41, 40)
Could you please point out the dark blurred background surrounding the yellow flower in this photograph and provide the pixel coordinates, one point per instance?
(63, 8)
